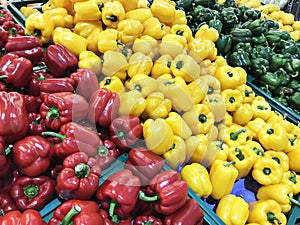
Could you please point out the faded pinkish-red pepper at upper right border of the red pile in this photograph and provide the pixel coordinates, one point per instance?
(86, 82)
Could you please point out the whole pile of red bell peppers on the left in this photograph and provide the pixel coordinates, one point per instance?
(57, 137)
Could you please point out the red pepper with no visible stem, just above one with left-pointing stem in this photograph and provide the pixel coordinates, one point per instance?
(144, 164)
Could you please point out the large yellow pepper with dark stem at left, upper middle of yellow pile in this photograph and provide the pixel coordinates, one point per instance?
(186, 67)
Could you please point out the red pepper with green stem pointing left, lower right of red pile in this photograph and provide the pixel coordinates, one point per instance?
(167, 192)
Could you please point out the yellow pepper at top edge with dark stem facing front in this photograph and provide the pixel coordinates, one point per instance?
(112, 14)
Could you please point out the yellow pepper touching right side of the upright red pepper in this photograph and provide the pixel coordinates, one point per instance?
(132, 103)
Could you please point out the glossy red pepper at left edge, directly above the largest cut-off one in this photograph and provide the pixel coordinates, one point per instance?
(15, 70)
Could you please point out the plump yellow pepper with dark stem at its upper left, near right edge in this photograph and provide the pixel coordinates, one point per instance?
(273, 137)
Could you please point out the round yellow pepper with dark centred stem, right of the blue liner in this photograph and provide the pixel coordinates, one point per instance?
(267, 171)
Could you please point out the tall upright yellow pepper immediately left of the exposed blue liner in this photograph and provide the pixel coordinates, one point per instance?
(222, 177)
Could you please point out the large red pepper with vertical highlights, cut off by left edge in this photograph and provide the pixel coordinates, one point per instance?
(14, 120)
